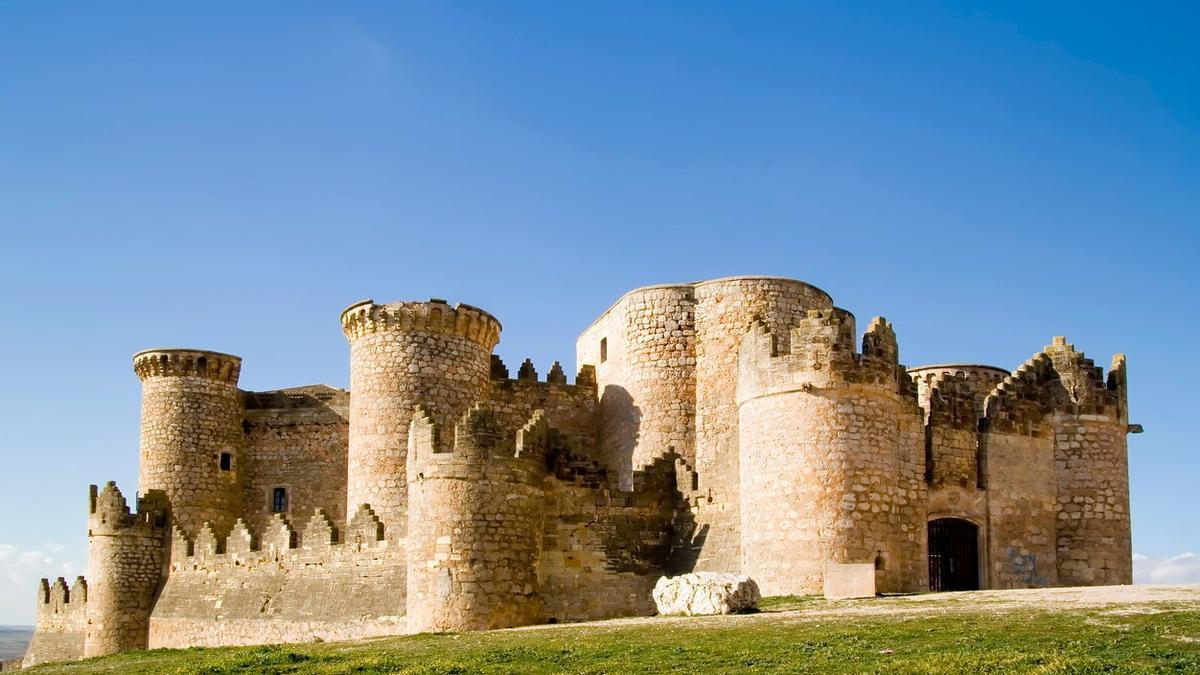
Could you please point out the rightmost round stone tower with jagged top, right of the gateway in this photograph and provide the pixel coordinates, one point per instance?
(1091, 469)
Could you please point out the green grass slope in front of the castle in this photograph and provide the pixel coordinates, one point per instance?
(973, 641)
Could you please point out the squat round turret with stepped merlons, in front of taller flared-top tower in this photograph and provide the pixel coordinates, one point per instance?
(476, 523)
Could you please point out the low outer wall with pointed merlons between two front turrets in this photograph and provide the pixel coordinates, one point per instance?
(281, 586)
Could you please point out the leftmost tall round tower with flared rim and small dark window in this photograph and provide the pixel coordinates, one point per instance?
(193, 435)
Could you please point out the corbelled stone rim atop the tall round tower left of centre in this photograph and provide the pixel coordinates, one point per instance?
(435, 316)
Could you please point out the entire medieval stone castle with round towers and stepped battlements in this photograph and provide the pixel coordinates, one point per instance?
(730, 426)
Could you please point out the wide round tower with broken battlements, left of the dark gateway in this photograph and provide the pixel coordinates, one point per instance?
(832, 457)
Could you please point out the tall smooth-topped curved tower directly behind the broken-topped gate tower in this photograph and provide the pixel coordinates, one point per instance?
(725, 308)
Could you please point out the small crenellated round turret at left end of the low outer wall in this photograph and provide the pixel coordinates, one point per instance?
(125, 566)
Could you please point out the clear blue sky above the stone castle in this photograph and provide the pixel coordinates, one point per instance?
(231, 176)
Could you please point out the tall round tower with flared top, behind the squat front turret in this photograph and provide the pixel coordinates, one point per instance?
(404, 355)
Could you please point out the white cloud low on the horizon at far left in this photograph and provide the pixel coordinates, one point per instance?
(20, 572)
